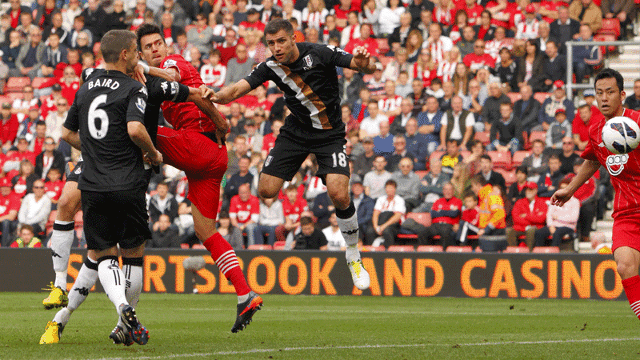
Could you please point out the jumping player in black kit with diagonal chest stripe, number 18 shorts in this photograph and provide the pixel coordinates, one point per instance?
(306, 74)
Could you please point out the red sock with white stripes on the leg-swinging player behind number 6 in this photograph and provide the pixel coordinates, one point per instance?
(224, 256)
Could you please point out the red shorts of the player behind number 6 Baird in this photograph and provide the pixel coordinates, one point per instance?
(203, 162)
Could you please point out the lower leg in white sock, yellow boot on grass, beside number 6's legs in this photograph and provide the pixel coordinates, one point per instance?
(87, 277)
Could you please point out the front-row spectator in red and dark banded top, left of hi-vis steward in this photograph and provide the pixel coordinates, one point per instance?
(445, 214)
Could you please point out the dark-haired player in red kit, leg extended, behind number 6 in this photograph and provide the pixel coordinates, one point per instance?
(191, 147)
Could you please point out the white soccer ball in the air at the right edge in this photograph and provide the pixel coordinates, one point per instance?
(621, 135)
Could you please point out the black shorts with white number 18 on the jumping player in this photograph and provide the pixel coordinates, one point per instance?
(289, 152)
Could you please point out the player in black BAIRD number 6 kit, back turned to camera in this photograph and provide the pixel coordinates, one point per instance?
(106, 121)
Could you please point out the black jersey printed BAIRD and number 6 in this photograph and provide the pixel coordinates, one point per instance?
(100, 112)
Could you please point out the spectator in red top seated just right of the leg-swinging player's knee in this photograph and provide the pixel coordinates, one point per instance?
(244, 212)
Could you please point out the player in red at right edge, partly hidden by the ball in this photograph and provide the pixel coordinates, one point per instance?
(625, 178)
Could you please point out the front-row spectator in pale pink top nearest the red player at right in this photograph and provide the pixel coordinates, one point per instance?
(561, 222)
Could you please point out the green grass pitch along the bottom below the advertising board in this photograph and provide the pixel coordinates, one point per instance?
(324, 327)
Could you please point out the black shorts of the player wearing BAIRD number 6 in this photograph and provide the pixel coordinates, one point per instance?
(117, 217)
